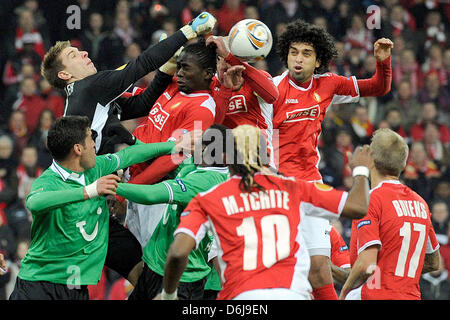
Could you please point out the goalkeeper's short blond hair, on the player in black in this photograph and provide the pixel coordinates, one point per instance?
(52, 64)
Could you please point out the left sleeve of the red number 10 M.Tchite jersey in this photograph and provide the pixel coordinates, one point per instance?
(193, 221)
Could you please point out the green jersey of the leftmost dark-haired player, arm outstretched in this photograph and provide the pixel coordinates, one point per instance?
(69, 235)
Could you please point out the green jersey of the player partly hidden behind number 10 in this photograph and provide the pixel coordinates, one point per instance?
(176, 193)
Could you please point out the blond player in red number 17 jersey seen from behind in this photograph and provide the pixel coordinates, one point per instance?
(395, 241)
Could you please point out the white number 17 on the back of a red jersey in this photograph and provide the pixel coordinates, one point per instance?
(405, 232)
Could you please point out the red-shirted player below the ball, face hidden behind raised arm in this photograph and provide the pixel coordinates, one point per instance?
(251, 102)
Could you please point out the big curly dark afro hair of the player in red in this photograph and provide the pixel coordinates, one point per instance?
(320, 39)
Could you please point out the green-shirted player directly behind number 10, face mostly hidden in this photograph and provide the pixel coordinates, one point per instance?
(177, 193)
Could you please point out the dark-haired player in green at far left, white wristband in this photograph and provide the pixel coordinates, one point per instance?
(69, 233)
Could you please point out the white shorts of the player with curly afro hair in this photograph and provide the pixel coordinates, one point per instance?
(316, 233)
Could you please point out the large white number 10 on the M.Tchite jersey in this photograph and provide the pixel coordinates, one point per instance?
(275, 234)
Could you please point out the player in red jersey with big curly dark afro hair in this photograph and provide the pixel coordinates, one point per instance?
(306, 90)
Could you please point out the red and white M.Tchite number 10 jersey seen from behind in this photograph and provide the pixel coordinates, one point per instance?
(258, 233)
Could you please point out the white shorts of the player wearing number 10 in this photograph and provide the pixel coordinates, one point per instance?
(272, 294)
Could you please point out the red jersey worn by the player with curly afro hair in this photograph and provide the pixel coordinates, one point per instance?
(298, 115)
